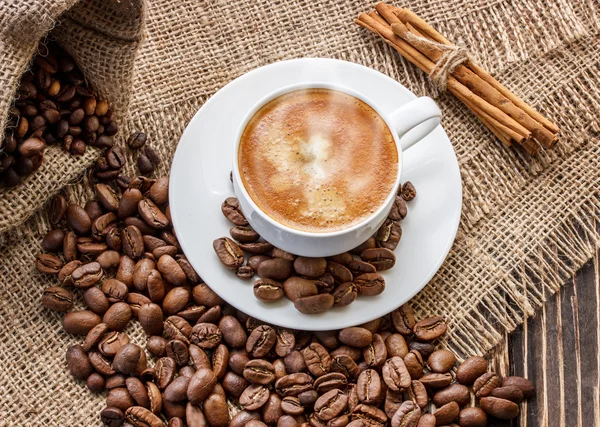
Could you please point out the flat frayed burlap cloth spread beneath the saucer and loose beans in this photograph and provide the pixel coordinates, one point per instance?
(527, 224)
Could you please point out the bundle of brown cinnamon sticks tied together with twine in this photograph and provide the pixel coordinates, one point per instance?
(511, 119)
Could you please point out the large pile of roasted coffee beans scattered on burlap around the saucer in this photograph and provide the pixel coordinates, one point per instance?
(207, 364)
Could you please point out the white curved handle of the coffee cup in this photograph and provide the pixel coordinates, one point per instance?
(417, 119)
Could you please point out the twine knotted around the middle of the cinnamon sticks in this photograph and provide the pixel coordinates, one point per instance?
(452, 57)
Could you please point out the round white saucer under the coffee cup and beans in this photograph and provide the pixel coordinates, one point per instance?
(199, 182)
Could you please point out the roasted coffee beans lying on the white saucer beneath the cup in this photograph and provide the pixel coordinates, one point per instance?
(313, 284)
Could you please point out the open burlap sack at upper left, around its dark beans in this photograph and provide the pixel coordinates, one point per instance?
(103, 37)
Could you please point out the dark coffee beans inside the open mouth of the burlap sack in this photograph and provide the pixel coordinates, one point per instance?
(53, 105)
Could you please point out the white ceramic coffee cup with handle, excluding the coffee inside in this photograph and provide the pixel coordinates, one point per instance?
(409, 124)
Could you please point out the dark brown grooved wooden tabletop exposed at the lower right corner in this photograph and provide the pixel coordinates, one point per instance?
(558, 350)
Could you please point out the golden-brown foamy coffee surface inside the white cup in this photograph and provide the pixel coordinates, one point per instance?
(317, 160)
